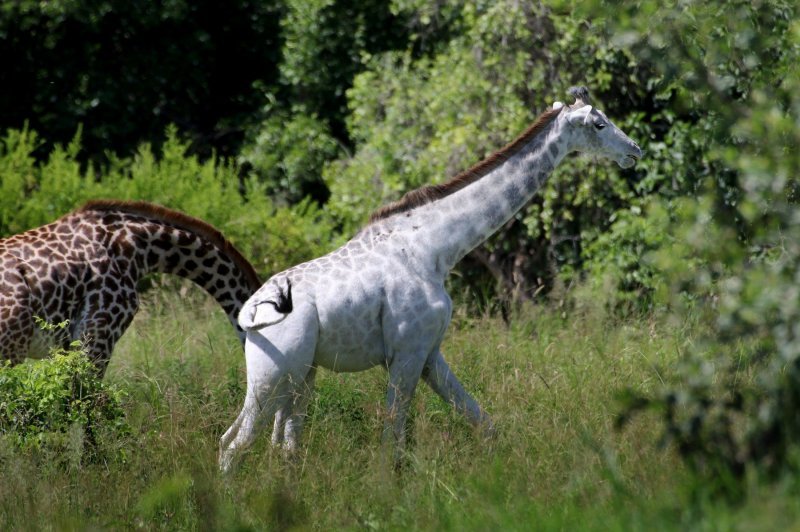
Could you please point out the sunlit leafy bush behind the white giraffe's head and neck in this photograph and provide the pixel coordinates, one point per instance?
(421, 119)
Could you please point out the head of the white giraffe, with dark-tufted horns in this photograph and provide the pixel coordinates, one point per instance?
(590, 131)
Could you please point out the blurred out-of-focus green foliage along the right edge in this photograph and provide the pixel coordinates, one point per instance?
(735, 254)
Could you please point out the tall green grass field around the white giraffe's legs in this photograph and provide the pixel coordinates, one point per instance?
(557, 462)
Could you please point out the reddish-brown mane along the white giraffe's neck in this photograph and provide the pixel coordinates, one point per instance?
(430, 193)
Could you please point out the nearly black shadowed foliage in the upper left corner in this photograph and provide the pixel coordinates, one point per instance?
(127, 70)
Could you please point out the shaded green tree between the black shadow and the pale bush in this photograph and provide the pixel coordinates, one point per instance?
(303, 125)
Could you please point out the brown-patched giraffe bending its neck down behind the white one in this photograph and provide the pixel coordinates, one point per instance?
(84, 267)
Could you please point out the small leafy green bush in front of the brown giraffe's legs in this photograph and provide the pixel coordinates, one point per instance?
(60, 404)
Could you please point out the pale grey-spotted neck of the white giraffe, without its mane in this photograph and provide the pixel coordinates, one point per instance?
(449, 228)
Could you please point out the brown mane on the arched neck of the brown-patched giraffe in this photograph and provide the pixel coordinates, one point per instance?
(183, 221)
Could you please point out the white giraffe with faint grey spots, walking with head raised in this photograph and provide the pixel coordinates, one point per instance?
(380, 298)
